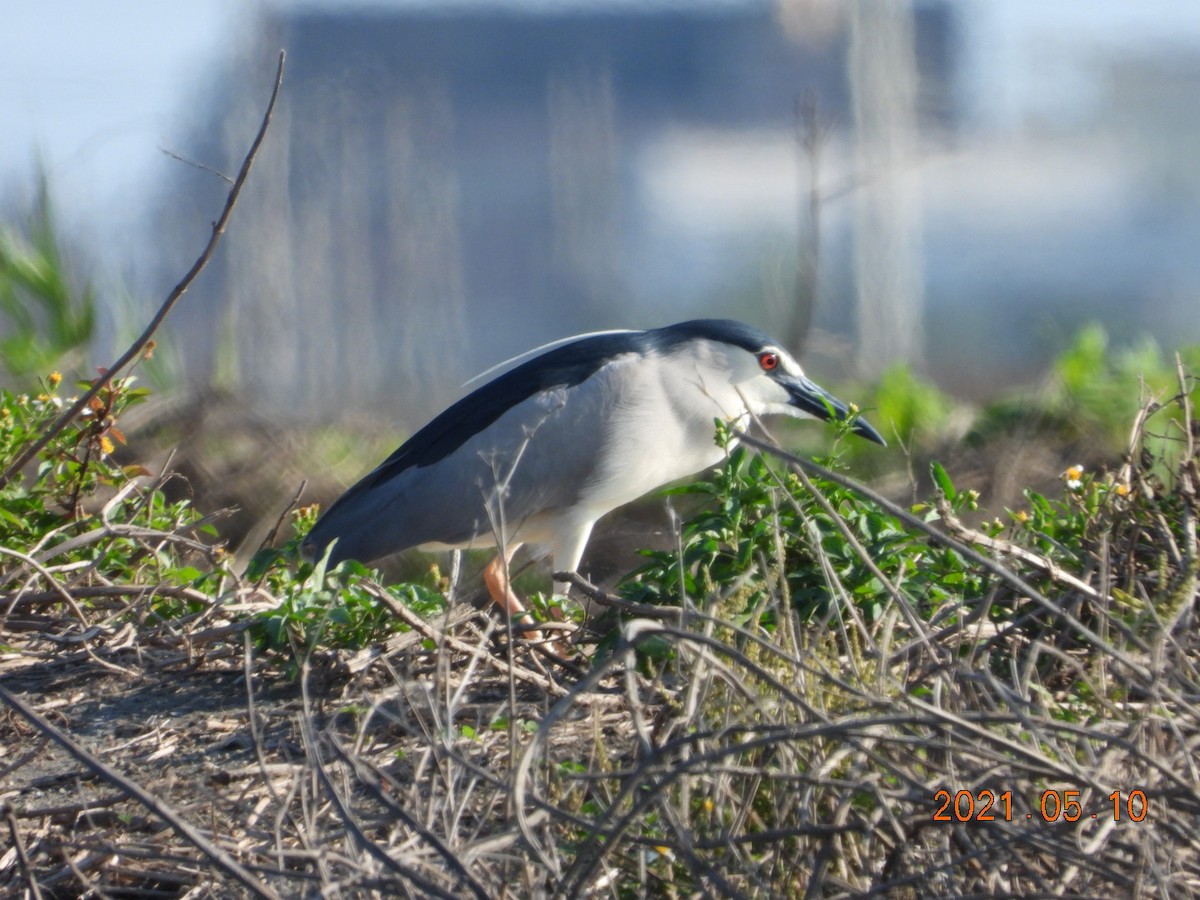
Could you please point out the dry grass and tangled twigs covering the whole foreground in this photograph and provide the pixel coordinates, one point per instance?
(142, 758)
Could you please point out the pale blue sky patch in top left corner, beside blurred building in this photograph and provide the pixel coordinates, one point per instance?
(97, 91)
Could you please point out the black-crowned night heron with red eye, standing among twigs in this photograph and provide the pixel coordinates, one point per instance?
(578, 429)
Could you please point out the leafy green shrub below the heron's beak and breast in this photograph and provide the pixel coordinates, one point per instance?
(763, 533)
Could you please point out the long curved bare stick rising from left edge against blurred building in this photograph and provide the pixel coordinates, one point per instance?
(140, 345)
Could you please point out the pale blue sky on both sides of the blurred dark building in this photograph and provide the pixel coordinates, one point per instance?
(99, 91)
